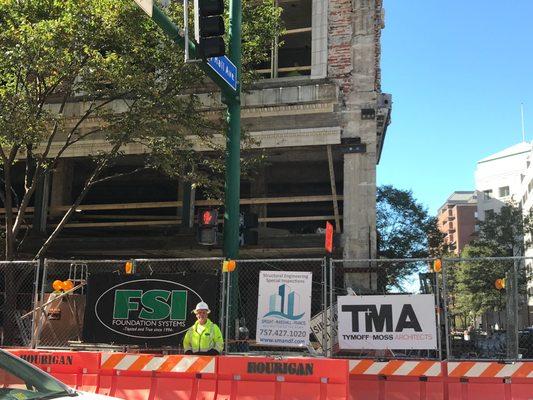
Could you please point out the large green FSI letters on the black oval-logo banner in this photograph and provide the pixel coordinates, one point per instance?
(154, 305)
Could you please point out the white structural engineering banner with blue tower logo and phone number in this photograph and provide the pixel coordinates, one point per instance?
(284, 308)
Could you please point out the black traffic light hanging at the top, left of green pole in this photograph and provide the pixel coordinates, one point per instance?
(209, 27)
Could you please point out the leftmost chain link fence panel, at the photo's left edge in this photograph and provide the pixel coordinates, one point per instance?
(18, 285)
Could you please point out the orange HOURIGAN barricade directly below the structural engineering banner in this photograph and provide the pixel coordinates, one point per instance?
(275, 379)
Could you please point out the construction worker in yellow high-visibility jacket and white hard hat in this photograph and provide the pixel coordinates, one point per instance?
(204, 337)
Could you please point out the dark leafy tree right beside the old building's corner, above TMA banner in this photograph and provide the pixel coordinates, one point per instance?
(405, 230)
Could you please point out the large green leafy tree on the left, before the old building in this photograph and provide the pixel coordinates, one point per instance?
(129, 82)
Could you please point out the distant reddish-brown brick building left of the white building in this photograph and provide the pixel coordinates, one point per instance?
(457, 219)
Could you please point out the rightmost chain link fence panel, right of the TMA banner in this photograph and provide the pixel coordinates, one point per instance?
(487, 308)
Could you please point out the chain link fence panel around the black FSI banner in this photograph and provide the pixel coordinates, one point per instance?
(60, 319)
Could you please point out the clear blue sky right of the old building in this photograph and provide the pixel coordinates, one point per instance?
(457, 71)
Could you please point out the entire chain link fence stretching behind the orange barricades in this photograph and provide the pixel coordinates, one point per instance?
(481, 305)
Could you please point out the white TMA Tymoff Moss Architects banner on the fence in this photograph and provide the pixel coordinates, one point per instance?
(387, 322)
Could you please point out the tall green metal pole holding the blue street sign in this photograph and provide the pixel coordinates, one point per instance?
(233, 140)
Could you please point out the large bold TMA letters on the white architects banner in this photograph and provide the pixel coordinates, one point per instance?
(383, 320)
